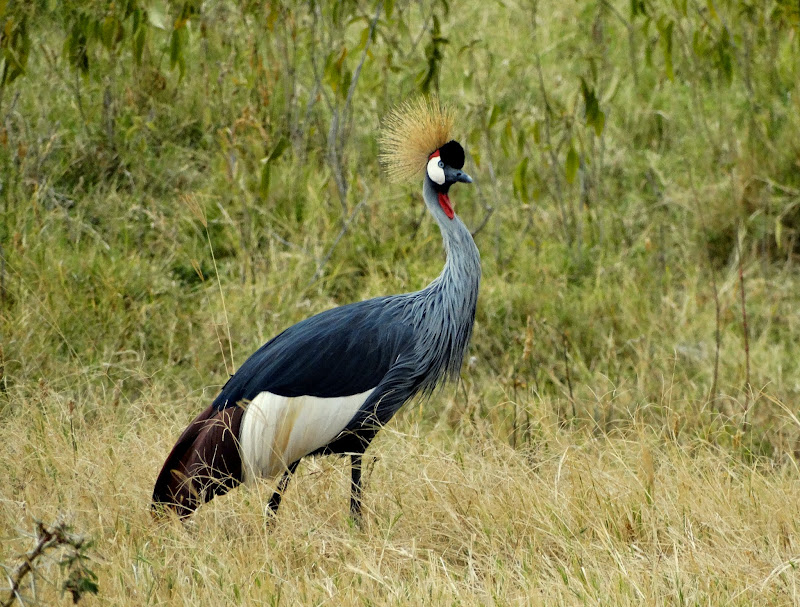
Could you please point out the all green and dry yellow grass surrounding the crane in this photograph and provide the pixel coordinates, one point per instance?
(612, 439)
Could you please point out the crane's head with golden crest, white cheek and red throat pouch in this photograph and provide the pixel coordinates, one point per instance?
(416, 136)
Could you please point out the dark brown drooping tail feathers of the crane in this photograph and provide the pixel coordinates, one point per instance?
(203, 463)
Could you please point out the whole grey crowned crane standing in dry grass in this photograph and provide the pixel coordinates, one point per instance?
(327, 384)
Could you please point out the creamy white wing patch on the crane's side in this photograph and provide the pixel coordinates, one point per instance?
(279, 430)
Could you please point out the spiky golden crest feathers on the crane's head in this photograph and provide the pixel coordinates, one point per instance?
(411, 133)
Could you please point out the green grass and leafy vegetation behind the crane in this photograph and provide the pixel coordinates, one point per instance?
(182, 180)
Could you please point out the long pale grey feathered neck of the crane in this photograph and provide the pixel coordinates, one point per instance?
(444, 311)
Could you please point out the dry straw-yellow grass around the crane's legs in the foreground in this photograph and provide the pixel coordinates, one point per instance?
(452, 518)
